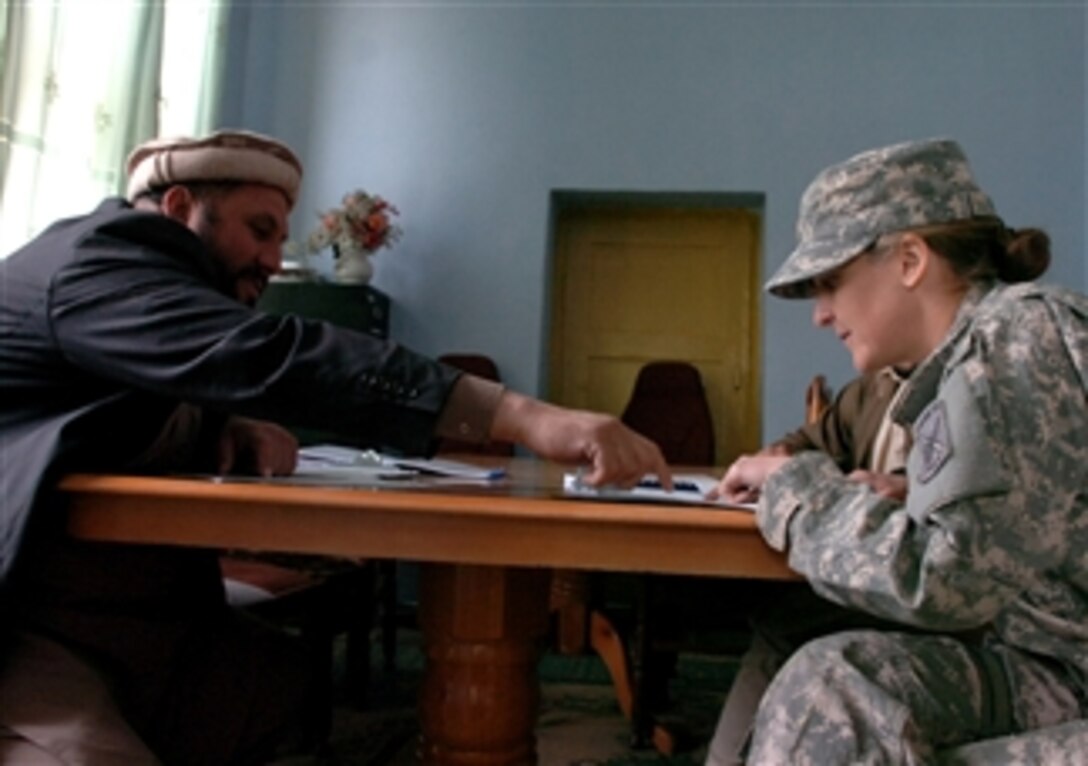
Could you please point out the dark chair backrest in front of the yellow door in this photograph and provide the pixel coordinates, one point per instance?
(669, 405)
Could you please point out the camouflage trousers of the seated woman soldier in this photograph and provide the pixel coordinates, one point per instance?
(886, 698)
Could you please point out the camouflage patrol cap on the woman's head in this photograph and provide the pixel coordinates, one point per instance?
(854, 204)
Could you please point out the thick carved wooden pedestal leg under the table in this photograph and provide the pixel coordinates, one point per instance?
(484, 628)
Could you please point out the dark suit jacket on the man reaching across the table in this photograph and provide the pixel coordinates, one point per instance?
(110, 322)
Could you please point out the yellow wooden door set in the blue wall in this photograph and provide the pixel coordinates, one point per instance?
(632, 287)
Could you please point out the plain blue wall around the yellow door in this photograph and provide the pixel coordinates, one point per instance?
(468, 115)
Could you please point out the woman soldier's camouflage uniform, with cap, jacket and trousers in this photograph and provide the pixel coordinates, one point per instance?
(994, 536)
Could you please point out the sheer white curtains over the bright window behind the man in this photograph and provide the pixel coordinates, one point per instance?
(82, 84)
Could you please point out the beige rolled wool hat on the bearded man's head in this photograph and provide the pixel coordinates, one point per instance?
(230, 156)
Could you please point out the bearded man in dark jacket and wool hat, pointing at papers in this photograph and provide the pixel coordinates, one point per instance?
(131, 343)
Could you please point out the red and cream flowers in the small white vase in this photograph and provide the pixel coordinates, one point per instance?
(363, 223)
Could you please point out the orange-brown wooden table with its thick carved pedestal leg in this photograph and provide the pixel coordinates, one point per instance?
(487, 553)
